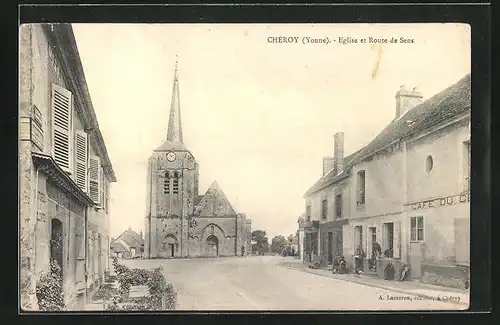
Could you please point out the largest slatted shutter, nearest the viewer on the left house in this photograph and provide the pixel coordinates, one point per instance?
(61, 126)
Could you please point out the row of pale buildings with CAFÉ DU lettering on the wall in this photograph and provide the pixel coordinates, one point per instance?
(408, 190)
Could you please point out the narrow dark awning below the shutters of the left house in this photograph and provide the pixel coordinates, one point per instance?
(46, 164)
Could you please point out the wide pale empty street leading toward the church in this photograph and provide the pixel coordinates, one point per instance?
(260, 283)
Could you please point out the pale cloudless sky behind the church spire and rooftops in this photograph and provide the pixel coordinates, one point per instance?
(258, 116)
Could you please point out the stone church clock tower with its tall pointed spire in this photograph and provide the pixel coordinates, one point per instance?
(172, 186)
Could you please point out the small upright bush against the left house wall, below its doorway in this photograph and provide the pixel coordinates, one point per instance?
(49, 289)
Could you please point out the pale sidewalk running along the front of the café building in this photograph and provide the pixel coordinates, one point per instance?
(414, 288)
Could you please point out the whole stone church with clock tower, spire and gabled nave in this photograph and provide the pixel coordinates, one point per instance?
(179, 221)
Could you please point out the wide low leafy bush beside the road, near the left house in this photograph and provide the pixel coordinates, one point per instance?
(156, 282)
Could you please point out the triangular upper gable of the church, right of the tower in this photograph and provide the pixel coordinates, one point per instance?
(215, 203)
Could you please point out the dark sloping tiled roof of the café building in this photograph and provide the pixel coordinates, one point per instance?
(452, 101)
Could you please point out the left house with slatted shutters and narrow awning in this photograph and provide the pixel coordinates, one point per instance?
(64, 169)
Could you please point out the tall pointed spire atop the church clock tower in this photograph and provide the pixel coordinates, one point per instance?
(174, 133)
